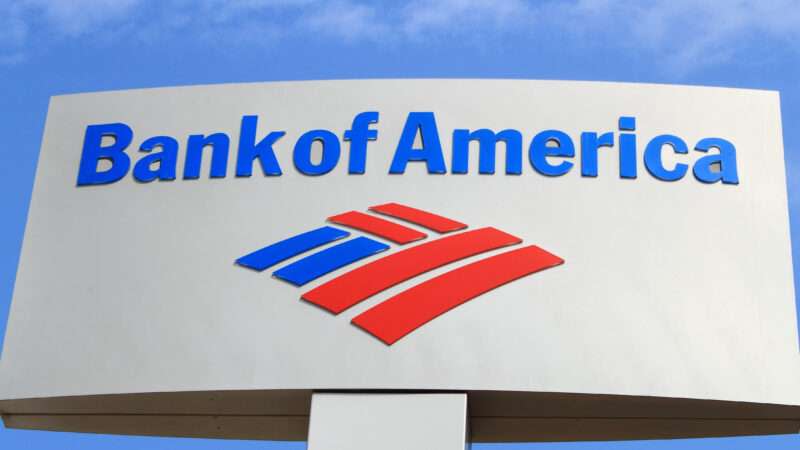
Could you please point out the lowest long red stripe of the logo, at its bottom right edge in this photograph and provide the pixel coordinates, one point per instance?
(405, 312)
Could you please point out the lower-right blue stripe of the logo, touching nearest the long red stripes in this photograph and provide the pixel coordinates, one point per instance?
(314, 266)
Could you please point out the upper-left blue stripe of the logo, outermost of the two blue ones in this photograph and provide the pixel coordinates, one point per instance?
(285, 249)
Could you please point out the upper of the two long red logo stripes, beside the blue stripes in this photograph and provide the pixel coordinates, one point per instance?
(355, 286)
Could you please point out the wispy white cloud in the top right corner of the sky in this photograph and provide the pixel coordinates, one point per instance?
(690, 34)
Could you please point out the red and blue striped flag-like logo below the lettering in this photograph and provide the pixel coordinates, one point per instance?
(402, 313)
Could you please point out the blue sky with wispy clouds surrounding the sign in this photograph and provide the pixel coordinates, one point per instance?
(50, 47)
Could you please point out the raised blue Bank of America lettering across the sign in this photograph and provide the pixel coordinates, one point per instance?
(550, 152)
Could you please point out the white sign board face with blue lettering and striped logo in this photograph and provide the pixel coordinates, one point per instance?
(668, 275)
